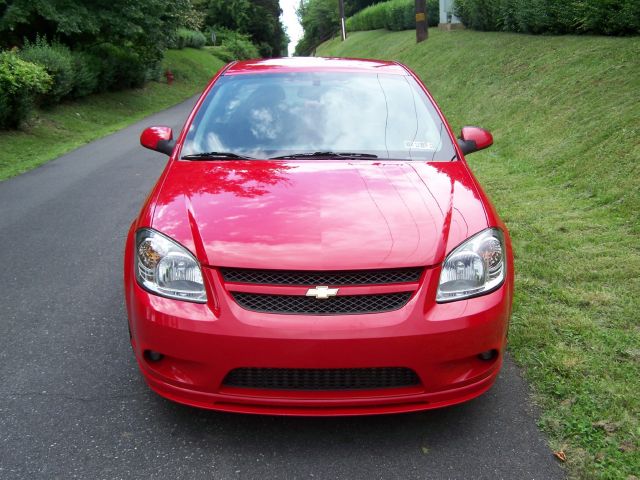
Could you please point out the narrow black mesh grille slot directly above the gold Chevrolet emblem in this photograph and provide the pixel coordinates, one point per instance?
(313, 278)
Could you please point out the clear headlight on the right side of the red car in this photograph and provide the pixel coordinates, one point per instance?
(474, 268)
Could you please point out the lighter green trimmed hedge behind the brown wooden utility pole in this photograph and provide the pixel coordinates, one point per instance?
(392, 15)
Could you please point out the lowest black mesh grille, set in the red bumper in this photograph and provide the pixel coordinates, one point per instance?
(321, 379)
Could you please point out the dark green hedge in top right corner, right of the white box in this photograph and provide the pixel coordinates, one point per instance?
(604, 17)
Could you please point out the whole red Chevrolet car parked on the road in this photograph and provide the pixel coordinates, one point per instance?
(317, 245)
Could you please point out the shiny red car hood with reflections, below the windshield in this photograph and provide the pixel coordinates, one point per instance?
(318, 214)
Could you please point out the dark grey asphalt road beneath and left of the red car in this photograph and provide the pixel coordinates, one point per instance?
(72, 404)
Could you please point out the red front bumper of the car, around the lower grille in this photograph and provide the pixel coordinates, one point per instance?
(201, 343)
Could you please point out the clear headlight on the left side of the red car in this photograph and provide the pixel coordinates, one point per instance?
(166, 268)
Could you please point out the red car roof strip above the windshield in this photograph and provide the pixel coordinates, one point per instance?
(315, 64)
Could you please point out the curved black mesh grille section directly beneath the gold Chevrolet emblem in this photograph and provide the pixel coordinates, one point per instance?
(300, 304)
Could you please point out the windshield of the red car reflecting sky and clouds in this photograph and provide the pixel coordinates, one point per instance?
(279, 114)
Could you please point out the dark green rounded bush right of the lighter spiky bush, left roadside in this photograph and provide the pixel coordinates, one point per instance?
(121, 67)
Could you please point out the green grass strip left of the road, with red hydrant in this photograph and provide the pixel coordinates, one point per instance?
(50, 133)
